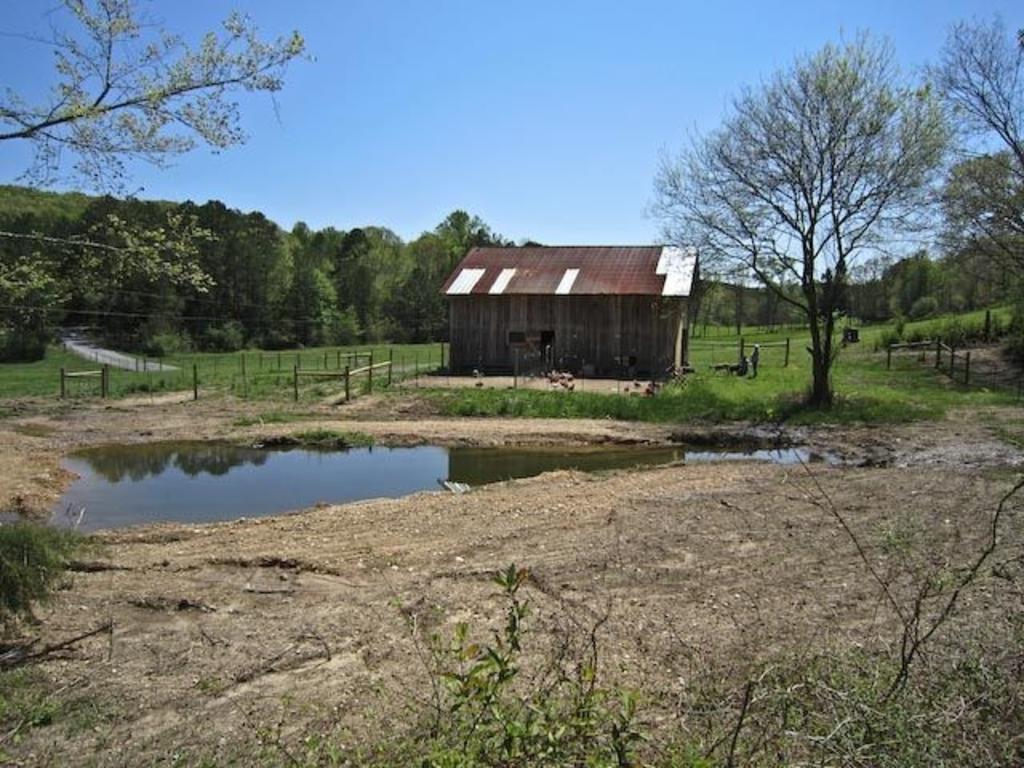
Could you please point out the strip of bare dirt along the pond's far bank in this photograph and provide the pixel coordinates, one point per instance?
(36, 435)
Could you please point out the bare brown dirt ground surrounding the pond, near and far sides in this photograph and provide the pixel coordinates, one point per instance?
(226, 631)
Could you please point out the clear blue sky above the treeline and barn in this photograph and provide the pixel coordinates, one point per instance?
(546, 119)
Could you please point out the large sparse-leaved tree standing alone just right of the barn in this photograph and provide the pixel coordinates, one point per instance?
(824, 161)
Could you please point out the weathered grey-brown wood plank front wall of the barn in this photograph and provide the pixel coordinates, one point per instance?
(599, 331)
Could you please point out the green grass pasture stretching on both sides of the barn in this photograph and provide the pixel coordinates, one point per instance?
(867, 391)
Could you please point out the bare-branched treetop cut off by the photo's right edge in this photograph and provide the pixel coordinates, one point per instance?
(982, 75)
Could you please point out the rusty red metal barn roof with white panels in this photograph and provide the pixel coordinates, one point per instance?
(646, 271)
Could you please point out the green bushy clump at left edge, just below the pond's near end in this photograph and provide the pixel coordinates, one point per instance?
(32, 560)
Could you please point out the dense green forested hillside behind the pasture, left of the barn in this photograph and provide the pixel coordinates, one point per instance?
(160, 277)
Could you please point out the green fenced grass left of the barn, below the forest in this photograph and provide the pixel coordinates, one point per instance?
(267, 375)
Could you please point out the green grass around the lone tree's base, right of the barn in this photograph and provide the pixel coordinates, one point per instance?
(866, 393)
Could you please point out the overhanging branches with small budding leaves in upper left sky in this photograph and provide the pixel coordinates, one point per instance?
(126, 91)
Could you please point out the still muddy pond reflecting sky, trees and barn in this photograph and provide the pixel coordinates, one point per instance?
(194, 483)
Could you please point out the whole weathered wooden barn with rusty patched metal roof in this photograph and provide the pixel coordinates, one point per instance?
(595, 311)
